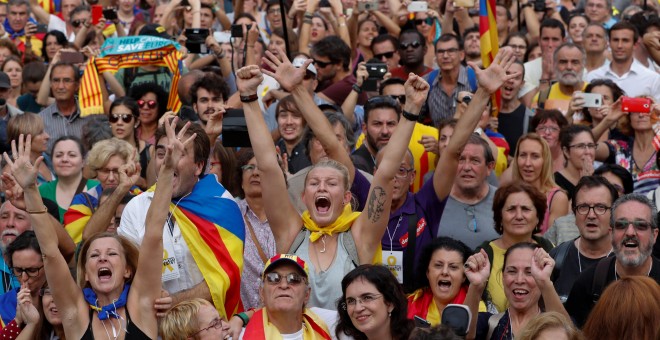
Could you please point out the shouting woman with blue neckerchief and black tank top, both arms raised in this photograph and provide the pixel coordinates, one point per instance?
(115, 288)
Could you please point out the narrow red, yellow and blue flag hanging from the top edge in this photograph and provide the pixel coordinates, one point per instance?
(489, 41)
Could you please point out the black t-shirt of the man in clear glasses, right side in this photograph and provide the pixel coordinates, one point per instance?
(570, 269)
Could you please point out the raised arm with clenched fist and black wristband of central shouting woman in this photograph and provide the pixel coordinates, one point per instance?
(282, 215)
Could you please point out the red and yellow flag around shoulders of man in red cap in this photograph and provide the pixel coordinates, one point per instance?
(260, 327)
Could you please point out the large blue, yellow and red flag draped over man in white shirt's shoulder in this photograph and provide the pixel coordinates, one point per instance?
(212, 226)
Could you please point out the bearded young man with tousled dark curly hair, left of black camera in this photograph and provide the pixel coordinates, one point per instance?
(208, 96)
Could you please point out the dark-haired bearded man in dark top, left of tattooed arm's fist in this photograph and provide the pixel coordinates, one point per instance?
(381, 116)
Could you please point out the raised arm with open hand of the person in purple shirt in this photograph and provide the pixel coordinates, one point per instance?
(490, 80)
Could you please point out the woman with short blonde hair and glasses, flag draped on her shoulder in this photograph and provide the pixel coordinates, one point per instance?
(104, 161)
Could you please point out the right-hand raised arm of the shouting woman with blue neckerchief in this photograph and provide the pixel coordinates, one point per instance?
(143, 294)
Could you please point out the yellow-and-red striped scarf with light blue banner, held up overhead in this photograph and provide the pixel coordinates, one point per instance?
(127, 52)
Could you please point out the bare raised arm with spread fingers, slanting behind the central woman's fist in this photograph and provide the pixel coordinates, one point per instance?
(290, 78)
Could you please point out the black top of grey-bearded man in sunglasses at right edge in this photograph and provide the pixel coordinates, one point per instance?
(581, 300)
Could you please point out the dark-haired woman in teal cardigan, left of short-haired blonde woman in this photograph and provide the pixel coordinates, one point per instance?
(68, 161)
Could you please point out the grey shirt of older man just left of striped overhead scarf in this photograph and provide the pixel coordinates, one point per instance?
(58, 125)
